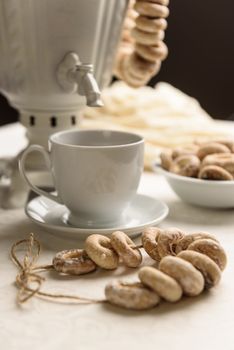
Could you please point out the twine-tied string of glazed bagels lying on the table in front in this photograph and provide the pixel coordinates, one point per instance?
(185, 265)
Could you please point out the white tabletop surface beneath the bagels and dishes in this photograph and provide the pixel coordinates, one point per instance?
(206, 321)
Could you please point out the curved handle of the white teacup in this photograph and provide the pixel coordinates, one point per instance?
(40, 149)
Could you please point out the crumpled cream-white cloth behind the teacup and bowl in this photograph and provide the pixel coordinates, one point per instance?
(164, 115)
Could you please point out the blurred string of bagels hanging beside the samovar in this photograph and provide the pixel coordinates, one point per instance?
(141, 48)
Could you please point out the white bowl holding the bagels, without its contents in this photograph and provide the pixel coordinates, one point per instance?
(205, 193)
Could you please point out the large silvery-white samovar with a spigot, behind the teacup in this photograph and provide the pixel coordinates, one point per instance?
(55, 57)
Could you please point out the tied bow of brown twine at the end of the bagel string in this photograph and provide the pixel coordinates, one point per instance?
(29, 281)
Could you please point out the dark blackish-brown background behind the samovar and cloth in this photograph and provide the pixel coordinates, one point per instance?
(200, 37)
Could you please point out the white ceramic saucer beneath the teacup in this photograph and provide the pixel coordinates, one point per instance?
(144, 211)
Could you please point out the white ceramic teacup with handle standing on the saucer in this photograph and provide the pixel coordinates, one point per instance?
(96, 173)
